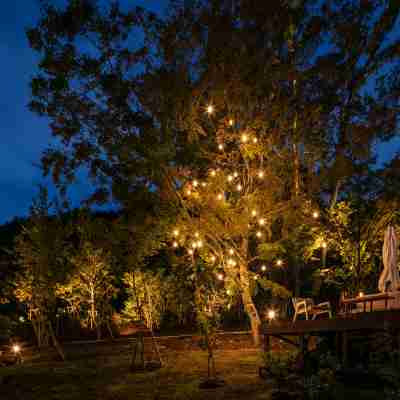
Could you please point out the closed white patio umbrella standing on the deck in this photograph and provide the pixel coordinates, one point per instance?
(389, 279)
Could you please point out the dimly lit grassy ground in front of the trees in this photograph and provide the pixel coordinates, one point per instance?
(102, 372)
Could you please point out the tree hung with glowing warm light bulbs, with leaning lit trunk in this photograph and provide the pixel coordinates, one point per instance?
(229, 209)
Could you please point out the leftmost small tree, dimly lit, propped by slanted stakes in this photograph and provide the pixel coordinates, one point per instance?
(40, 253)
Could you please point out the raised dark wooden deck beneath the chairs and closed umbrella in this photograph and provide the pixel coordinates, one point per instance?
(342, 327)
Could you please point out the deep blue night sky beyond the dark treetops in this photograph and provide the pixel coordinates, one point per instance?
(24, 135)
